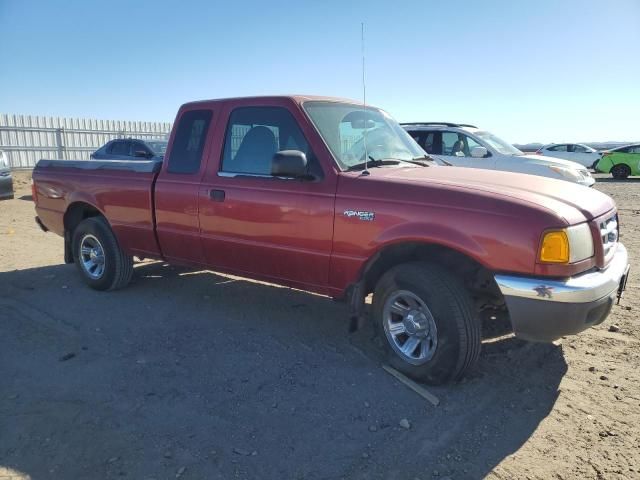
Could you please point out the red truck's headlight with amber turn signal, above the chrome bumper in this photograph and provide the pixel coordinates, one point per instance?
(568, 245)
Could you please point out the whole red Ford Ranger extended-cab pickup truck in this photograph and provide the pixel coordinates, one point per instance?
(328, 196)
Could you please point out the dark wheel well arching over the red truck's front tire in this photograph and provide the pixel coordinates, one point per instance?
(479, 280)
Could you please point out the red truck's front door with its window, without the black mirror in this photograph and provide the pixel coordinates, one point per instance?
(270, 227)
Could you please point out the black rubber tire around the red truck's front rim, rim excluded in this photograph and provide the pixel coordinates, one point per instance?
(458, 329)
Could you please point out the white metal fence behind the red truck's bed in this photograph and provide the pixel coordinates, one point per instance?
(26, 139)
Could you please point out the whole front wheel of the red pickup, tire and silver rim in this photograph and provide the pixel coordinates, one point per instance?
(427, 322)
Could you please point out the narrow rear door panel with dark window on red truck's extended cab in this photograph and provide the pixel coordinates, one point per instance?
(176, 191)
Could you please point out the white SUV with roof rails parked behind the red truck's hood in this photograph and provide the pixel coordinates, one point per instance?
(465, 145)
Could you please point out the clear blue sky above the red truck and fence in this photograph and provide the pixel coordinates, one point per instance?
(542, 70)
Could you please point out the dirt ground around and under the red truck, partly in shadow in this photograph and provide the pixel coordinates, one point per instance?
(195, 375)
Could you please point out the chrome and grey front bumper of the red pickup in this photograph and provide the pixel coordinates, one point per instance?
(544, 310)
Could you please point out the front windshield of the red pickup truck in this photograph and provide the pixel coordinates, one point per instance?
(346, 128)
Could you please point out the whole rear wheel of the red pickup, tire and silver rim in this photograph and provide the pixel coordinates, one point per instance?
(100, 260)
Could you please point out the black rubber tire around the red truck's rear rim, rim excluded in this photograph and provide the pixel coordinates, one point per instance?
(118, 266)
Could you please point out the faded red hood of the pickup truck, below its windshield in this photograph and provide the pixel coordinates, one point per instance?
(570, 201)
